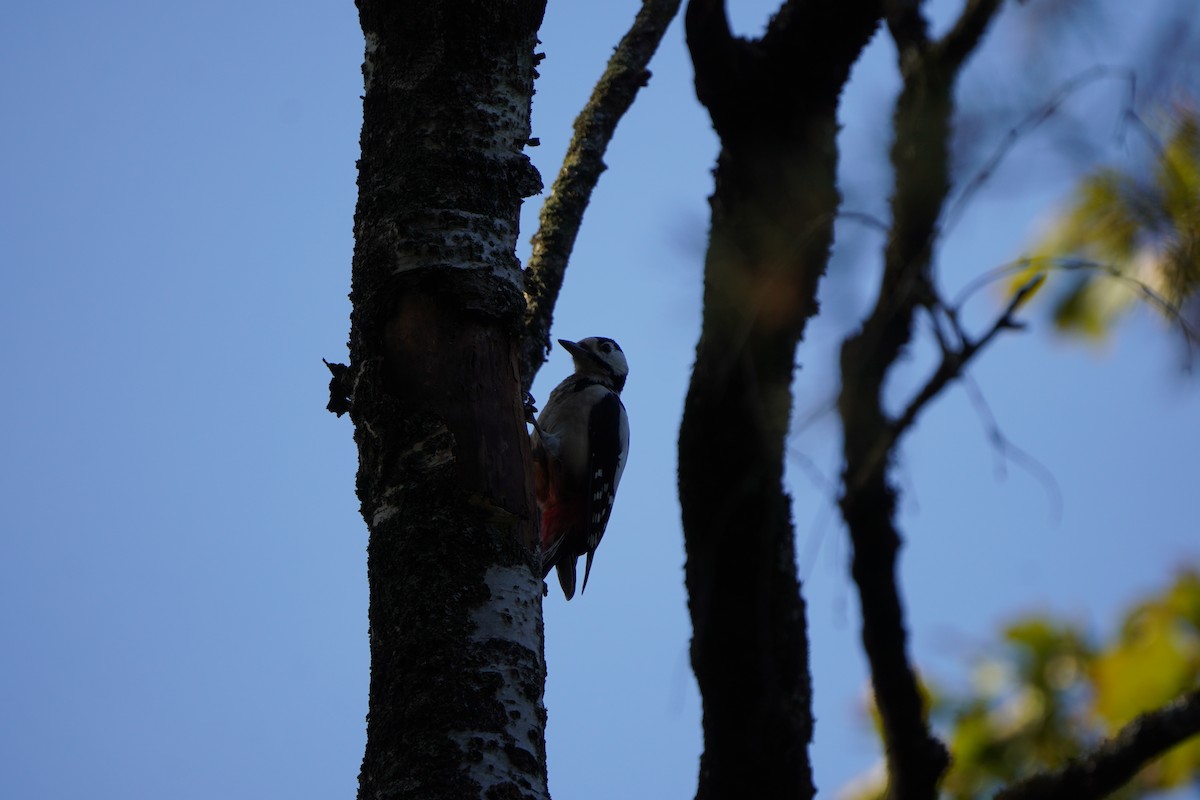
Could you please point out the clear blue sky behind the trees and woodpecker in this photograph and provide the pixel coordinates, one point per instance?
(183, 590)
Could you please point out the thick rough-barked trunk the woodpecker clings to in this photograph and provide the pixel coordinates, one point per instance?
(457, 653)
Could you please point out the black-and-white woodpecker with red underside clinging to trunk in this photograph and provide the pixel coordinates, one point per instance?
(580, 448)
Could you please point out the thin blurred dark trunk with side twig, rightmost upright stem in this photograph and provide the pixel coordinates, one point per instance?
(921, 160)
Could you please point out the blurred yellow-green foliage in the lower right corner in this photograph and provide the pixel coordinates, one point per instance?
(1049, 690)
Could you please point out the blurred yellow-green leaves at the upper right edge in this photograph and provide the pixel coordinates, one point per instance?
(1129, 236)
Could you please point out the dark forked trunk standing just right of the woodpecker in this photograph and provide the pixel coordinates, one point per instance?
(773, 103)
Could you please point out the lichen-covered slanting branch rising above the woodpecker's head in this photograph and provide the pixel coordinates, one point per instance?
(563, 212)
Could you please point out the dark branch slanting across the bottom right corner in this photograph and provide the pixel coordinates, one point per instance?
(1115, 762)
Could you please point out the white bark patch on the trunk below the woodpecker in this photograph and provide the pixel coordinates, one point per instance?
(509, 616)
